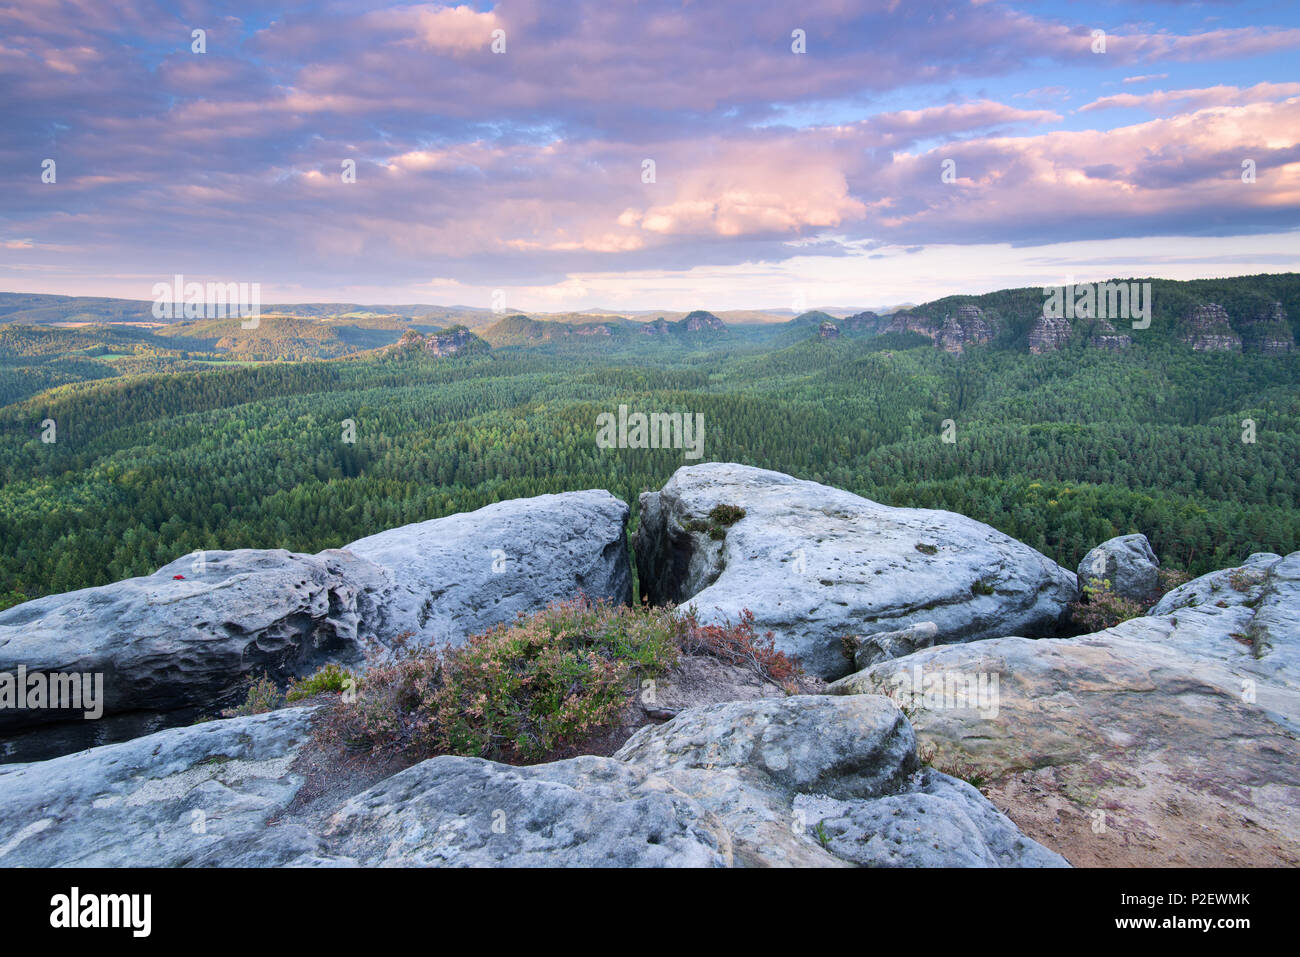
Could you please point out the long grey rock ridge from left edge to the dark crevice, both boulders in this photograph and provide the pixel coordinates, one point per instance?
(185, 642)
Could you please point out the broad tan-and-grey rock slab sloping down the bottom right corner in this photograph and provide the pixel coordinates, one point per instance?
(1168, 741)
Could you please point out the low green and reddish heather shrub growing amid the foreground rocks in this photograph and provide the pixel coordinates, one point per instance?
(514, 694)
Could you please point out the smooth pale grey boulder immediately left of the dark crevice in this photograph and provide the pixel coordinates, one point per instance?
(463, 574)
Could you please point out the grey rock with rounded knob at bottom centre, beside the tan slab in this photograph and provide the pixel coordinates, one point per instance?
(782, 777)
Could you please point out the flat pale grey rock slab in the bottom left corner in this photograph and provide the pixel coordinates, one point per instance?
(187, 796)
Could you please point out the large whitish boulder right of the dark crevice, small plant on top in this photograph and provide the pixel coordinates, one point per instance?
(818, 565)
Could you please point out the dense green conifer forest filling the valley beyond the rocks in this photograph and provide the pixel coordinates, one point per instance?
(1060, 451)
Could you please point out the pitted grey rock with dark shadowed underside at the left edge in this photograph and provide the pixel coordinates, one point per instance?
(185, 640)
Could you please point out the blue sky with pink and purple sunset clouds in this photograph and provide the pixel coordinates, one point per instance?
(622, 155)
